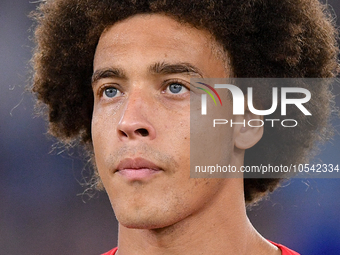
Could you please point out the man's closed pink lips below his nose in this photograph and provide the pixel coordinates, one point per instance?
(137, 168)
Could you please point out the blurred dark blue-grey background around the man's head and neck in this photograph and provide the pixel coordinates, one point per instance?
(42, 206)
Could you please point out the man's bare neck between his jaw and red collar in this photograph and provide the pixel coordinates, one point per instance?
(222, 227)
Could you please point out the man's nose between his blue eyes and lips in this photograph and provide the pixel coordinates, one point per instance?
(135, 121)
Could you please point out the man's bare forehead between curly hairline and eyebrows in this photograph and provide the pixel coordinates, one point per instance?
(158, 35)
